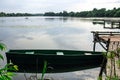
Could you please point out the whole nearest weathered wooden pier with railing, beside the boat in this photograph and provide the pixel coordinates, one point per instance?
(112, 43)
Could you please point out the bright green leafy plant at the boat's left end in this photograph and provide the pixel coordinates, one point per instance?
(4, 71)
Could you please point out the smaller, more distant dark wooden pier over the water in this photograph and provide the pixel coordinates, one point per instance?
(113, 24)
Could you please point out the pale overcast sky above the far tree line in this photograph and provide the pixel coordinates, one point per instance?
(42, 6)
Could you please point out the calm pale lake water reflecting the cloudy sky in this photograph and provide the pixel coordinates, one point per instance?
(51, 33)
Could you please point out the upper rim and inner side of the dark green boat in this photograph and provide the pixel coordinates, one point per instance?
(52, 52)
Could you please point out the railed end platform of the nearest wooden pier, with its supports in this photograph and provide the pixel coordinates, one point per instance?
(107, 38)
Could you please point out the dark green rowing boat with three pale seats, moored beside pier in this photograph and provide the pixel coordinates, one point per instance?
(32, 61)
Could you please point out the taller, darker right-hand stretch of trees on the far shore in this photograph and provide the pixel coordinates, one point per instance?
(115, 12)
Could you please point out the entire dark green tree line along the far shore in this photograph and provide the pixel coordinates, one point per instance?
(115, 12)
